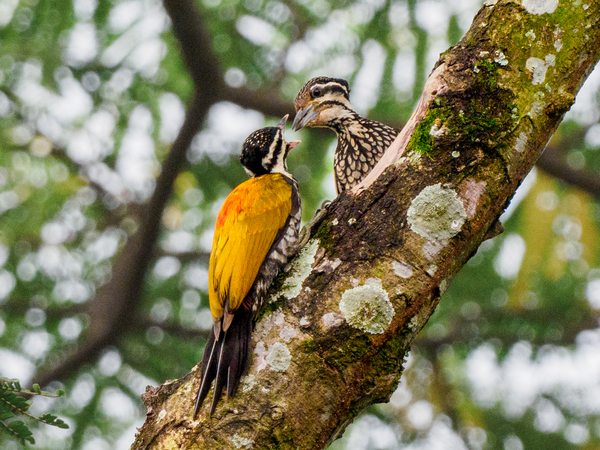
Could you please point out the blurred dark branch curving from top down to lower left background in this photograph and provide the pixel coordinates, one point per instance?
(114, 306)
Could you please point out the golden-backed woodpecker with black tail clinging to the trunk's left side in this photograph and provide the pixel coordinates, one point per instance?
(255, 234)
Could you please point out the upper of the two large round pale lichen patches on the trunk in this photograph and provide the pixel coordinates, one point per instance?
(436, 213)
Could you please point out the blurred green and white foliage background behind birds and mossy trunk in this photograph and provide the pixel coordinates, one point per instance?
(93, 94)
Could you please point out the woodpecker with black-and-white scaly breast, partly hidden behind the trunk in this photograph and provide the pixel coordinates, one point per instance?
(325, 102)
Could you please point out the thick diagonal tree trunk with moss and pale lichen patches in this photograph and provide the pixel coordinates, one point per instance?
(342, 317)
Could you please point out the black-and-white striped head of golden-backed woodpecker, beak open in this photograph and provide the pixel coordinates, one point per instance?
(265, 151)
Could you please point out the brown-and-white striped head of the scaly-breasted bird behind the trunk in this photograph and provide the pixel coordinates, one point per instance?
(322, 102)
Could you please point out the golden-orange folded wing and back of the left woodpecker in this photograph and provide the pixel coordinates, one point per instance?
(246, 228)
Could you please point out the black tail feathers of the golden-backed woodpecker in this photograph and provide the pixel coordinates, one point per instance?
(225, 360)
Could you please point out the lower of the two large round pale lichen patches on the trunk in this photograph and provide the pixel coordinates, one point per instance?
(367, 307)
